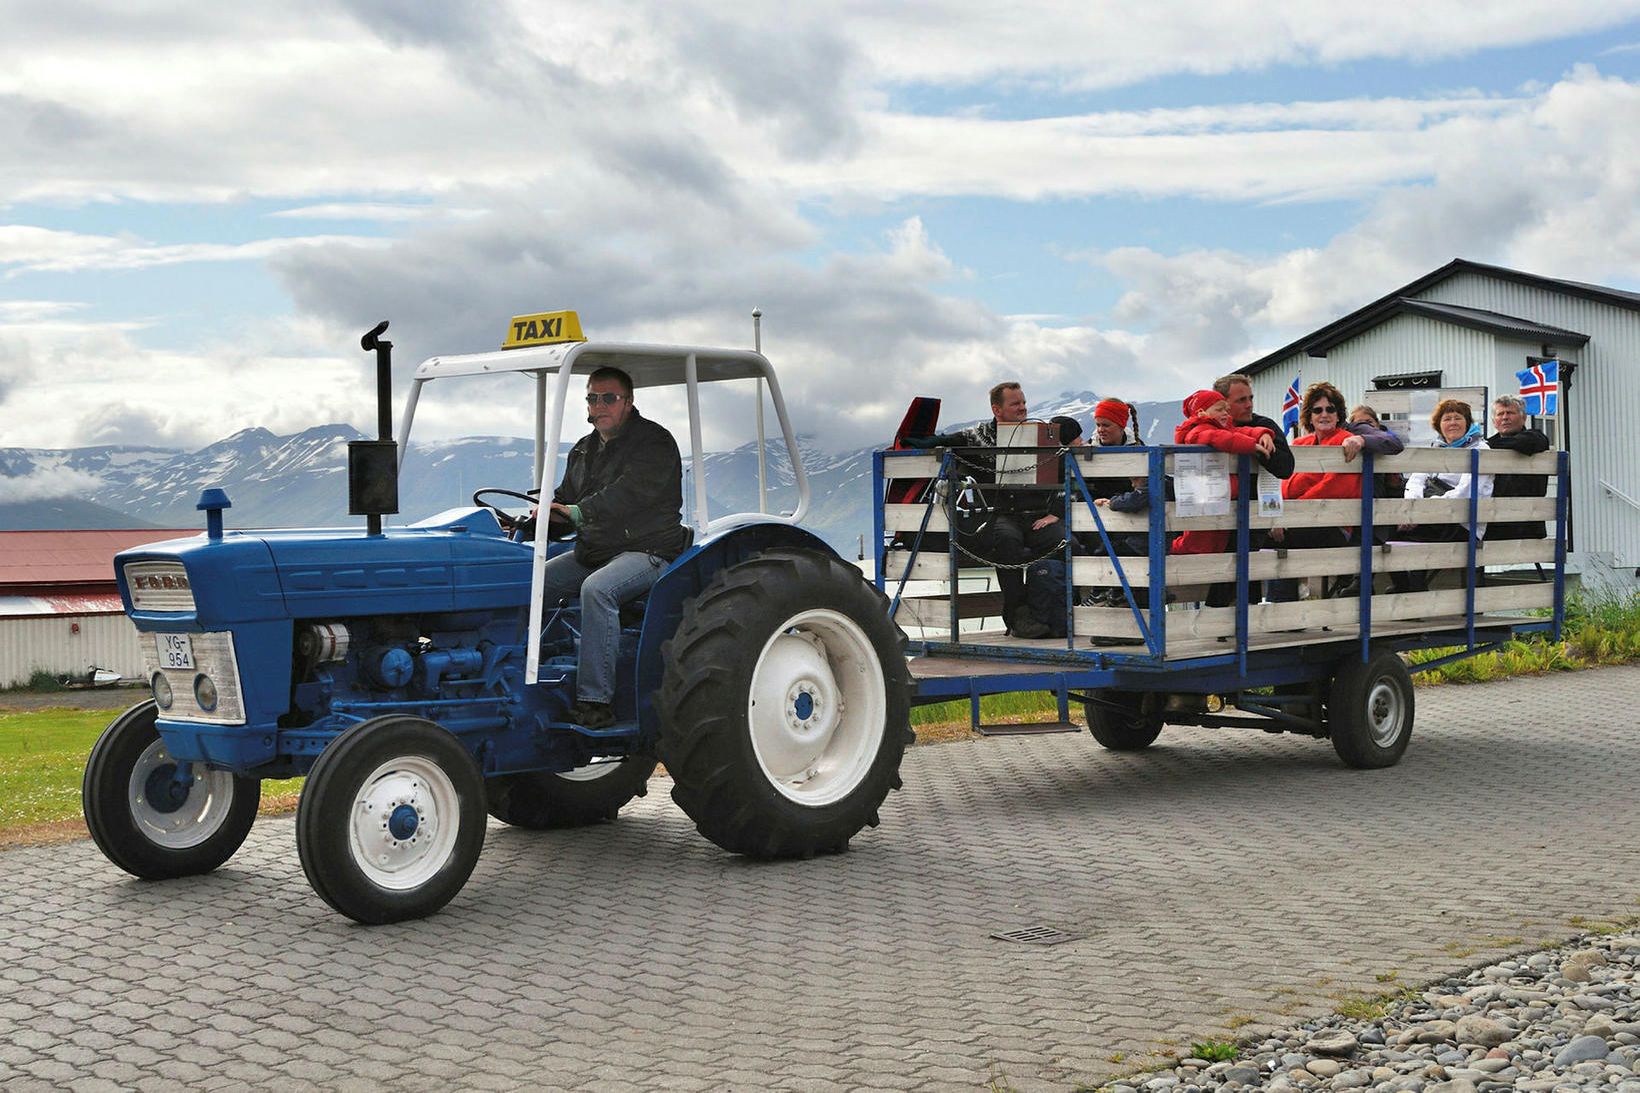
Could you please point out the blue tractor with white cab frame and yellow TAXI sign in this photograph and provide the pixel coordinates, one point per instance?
(419, 682)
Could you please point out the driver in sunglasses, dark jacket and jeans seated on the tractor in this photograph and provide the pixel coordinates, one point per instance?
(624, 496)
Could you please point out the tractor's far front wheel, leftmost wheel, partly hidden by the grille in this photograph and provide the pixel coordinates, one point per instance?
(145, 821)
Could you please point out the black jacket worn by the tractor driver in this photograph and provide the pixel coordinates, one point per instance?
(631, 493)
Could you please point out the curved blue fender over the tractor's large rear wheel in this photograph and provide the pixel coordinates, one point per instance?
(683, 582)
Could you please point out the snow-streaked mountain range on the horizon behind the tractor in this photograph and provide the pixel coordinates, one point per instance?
(303, 480)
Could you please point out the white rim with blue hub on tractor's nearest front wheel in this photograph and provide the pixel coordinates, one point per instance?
(404, 823)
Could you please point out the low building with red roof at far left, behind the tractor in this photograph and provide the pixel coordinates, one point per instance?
(60, 608)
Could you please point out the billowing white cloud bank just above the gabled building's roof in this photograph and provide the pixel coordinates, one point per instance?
(1551, 190)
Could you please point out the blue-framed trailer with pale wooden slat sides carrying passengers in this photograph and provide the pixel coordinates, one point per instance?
(1144, 649)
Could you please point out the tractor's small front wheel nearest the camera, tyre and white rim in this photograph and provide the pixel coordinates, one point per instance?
(391, 820)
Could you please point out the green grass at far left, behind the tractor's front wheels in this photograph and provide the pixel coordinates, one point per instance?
(43, 757)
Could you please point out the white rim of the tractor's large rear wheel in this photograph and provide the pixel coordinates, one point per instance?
(818, 708)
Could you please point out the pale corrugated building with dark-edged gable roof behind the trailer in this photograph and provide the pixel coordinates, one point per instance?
(1475, 326)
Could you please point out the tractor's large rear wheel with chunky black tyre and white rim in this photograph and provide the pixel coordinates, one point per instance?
(785, 707)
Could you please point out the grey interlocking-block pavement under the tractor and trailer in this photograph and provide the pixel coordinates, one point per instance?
(1214, 882)
